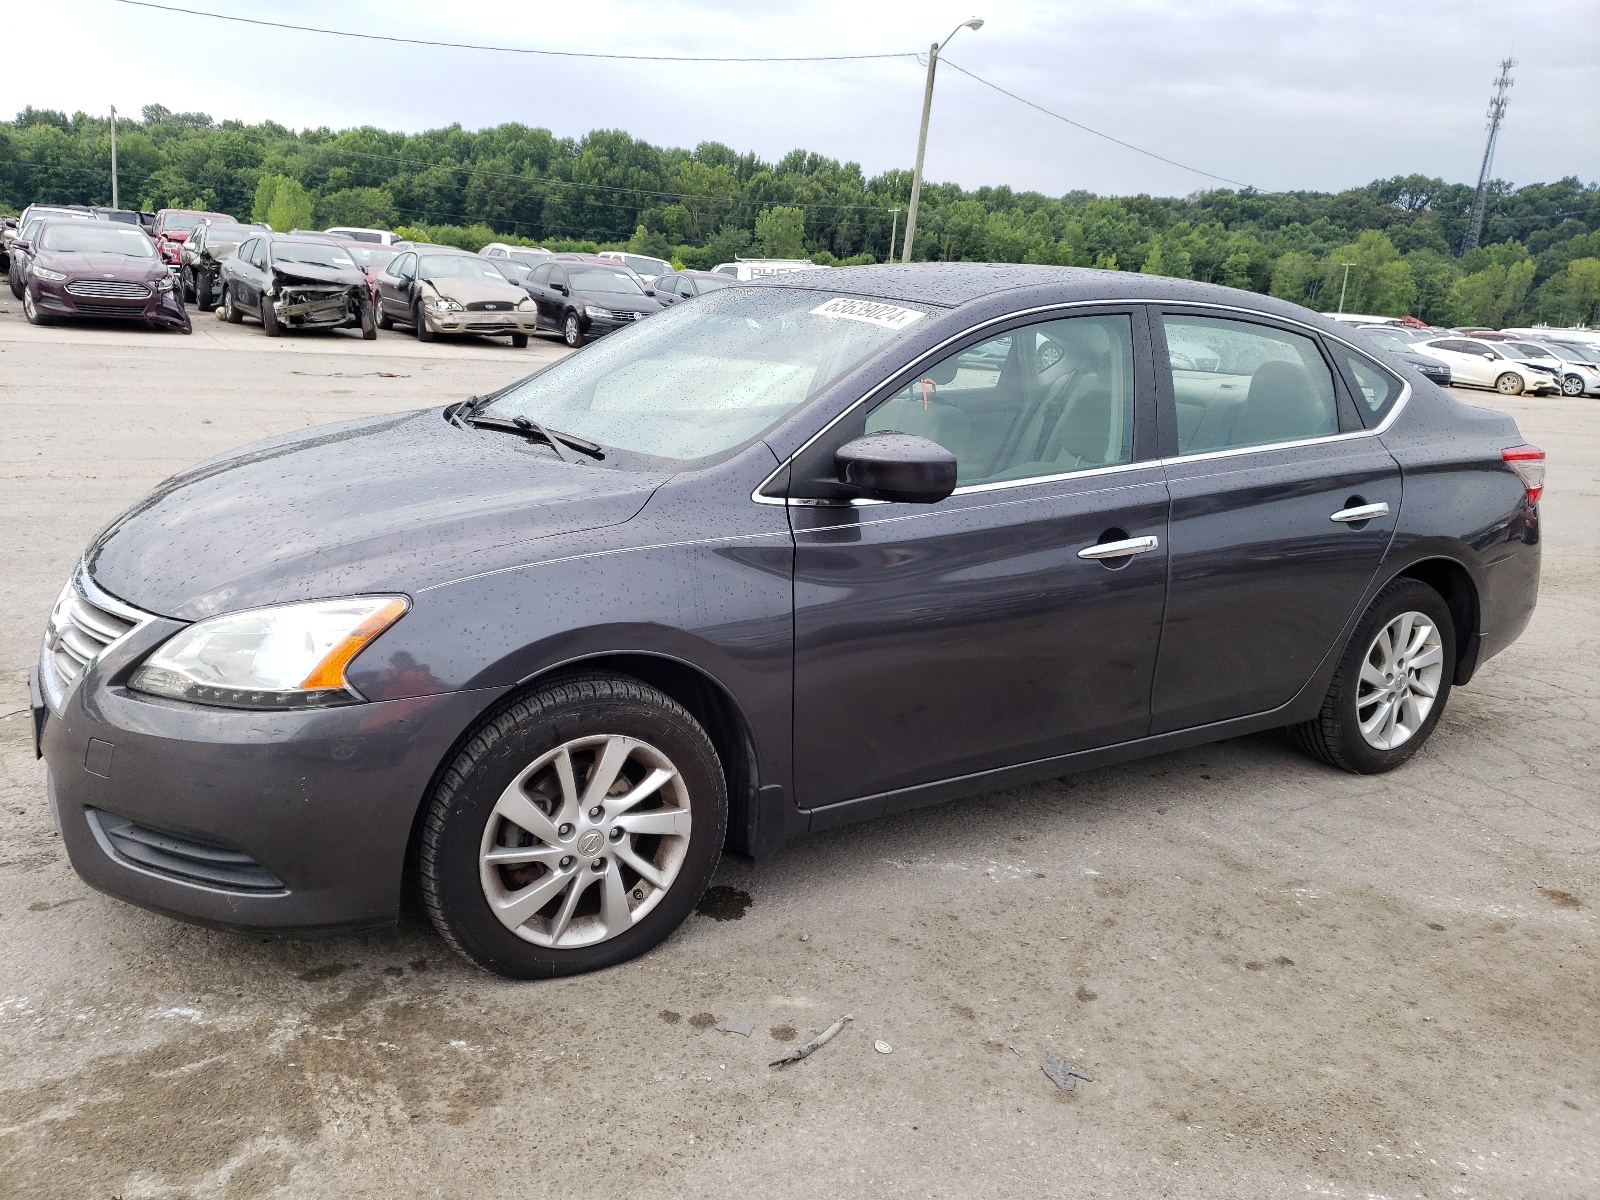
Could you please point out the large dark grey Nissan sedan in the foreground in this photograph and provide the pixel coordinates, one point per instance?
(802, 553)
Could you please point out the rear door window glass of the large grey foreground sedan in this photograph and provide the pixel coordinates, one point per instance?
(1242, 385)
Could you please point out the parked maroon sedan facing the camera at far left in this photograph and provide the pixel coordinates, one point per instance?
(98, 270)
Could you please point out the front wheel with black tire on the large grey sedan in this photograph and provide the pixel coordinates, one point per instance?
(575, 830)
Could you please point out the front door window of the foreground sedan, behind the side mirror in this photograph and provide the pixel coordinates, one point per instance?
(1041, 401)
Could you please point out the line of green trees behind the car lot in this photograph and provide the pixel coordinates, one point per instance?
(1538, 262)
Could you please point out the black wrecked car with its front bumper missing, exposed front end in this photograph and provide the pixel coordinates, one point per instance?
(297, 282)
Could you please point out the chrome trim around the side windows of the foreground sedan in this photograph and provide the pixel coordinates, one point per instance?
(1383, 426)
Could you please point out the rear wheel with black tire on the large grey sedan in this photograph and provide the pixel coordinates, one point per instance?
(1391, 687)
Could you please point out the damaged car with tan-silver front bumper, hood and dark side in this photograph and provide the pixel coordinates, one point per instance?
(454, 292)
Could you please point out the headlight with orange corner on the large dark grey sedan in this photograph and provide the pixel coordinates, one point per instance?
(287, 657)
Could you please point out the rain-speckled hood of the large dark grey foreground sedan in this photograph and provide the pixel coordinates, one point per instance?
(380, 505)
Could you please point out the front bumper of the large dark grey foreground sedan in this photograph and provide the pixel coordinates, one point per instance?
(281, 823)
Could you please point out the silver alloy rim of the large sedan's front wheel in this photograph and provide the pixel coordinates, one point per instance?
(585, 842)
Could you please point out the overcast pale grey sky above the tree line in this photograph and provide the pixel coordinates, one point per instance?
(1278, 95)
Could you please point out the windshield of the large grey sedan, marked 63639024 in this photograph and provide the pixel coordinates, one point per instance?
(703, 380)
